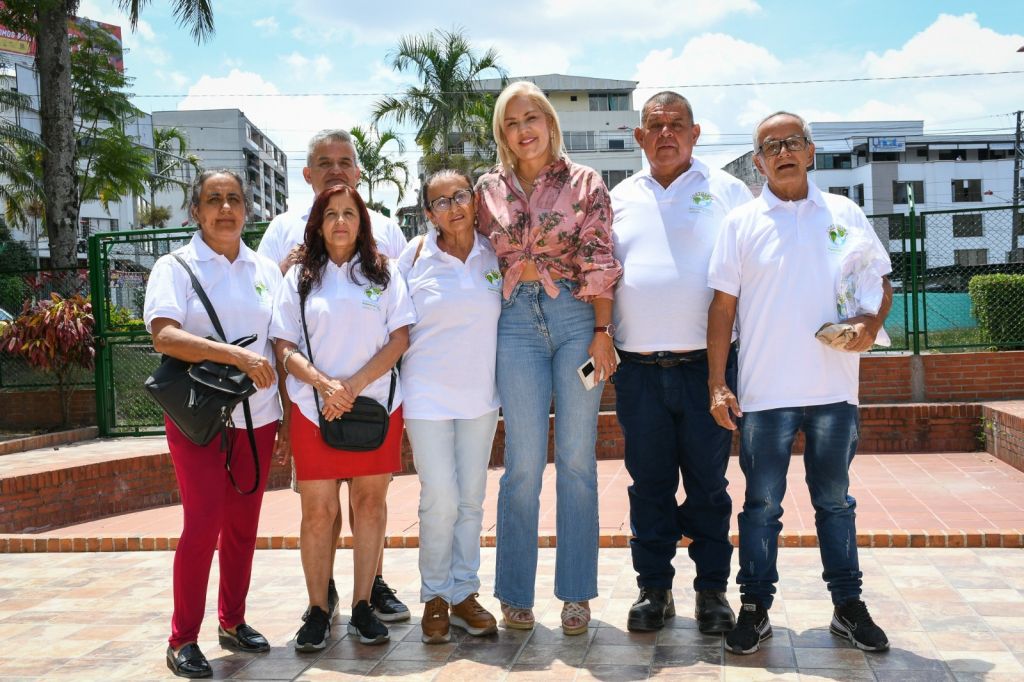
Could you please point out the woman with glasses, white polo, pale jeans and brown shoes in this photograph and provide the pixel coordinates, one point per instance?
(448, 382)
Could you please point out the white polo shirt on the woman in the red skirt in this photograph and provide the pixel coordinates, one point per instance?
(349, 324)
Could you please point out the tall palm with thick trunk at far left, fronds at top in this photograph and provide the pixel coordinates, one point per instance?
(48, 21)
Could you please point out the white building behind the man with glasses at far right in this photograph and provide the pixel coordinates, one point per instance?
(873, 162)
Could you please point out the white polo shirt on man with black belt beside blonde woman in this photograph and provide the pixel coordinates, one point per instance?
(664, 238)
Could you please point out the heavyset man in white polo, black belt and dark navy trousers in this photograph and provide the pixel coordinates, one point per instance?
(666, 224)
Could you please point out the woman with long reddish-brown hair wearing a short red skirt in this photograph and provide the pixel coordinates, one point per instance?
(358, 315)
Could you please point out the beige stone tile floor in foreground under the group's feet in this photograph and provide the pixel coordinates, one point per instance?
(951, 615)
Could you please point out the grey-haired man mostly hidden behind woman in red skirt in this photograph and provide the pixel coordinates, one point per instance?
(332, 161)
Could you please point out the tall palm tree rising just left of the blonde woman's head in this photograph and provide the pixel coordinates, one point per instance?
(441, 105)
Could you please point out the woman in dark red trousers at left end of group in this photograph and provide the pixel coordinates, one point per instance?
(240, 285)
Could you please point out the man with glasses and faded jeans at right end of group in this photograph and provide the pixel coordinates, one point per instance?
(778, 264)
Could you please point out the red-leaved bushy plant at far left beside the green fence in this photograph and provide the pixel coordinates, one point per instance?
(55, 335)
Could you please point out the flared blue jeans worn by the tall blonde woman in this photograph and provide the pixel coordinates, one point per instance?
(541, 343)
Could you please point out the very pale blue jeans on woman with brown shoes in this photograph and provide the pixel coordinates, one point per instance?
(451, 459)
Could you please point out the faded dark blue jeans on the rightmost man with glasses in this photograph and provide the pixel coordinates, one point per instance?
(766, 443)
